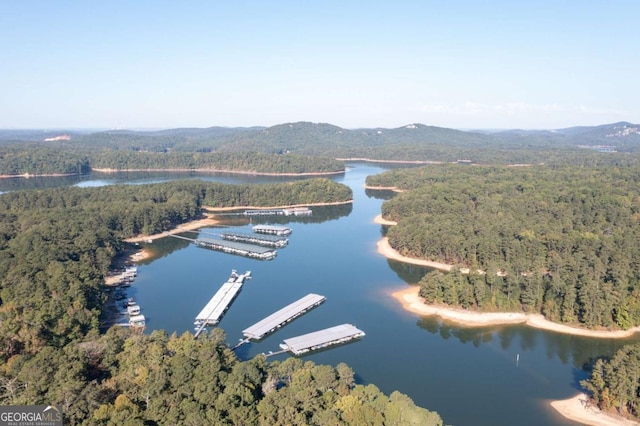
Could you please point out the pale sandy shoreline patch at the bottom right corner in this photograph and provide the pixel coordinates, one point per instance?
(578, 409)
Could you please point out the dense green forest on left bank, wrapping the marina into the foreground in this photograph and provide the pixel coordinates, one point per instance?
(56, 246)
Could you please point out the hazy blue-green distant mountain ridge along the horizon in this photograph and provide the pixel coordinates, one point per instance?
(409, 142)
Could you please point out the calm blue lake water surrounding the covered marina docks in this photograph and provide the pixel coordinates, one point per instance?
(469, 376)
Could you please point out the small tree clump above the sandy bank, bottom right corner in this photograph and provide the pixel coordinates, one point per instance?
(614, 383)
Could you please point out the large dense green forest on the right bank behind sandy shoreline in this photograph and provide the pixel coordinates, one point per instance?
(559, 241)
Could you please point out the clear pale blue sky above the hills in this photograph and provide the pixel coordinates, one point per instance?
(459, 64)
